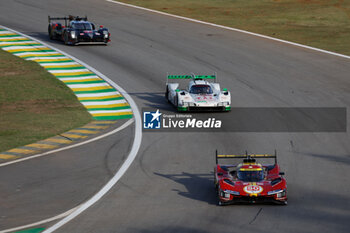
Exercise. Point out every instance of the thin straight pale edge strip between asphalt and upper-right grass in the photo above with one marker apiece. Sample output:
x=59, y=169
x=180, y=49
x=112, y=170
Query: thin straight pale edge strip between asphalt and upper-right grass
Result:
x=232, y=29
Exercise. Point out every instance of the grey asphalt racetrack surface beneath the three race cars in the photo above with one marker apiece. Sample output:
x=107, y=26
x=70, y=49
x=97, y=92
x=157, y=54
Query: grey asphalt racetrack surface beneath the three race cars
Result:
x=169, y=187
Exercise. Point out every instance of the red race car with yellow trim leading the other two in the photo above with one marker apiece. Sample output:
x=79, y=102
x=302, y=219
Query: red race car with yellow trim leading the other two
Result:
x=249, y=181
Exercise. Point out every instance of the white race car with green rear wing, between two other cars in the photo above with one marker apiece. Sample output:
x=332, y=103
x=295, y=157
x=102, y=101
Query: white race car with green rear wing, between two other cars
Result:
x=201, y=95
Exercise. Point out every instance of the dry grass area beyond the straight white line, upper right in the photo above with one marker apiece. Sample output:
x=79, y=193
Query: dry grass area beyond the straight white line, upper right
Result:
x=323, y=24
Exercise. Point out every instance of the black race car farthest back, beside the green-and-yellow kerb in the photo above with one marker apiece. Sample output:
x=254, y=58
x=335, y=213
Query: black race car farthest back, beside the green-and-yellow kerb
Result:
x=77, y=30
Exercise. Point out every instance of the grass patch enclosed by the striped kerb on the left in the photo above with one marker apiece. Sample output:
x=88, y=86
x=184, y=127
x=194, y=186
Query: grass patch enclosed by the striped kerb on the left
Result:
x=34, y=105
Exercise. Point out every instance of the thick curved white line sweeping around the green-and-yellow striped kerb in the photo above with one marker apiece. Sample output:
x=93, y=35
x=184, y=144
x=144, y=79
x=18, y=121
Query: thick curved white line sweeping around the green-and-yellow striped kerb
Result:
x=132, y=155
